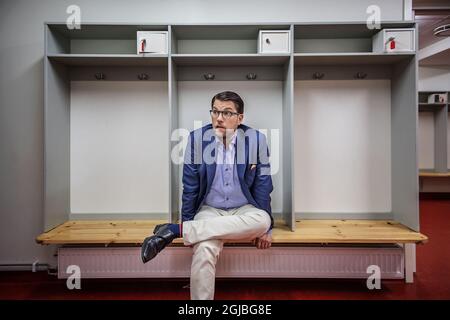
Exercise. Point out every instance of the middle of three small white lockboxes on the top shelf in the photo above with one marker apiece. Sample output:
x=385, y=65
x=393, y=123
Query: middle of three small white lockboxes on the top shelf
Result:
x=274, y=41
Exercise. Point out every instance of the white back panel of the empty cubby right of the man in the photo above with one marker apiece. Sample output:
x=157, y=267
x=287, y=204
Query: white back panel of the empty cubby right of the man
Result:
x=342, y=146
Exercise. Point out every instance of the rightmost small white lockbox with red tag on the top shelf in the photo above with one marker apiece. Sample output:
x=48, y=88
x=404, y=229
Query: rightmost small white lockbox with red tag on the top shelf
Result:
x=394, y=40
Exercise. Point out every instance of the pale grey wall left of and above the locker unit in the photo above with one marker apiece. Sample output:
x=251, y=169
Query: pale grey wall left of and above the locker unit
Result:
x=21, y=84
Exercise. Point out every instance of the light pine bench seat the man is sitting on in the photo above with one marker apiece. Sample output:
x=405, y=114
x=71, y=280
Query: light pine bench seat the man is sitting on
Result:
x=307, y=231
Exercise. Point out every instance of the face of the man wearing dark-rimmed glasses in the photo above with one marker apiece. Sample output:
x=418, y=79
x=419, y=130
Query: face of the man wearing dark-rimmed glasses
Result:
x=222, y=125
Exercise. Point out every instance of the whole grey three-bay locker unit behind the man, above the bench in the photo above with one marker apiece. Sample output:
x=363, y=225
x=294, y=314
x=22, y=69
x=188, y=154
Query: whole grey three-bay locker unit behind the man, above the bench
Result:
x=335, y=56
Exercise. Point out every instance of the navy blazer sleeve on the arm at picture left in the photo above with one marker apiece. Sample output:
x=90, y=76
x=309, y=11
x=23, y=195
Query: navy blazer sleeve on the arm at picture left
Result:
x=191, y=181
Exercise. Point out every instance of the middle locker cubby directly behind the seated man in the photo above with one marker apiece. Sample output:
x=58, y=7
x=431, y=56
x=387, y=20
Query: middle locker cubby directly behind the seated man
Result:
x=267, y=99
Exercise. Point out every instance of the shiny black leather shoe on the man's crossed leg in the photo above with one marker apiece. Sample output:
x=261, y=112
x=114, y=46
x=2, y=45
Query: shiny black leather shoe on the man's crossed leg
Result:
x=154, y=244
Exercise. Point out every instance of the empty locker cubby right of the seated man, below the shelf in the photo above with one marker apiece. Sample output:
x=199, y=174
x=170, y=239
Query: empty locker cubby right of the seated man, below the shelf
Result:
x=355, y=137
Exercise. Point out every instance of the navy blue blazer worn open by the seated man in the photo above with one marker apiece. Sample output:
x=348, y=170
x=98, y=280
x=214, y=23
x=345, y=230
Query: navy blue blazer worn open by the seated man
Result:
x=198, y=174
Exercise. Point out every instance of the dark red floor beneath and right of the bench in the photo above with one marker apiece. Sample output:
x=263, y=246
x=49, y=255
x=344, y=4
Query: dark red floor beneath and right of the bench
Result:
x=432, y=280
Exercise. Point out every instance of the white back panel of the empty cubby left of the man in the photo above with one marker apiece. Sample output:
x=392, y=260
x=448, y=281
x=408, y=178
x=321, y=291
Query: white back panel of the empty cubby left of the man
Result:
x=119, y=150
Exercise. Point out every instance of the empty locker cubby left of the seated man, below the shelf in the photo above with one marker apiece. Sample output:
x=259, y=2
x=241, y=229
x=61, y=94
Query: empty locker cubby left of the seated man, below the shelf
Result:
x=100, y=111
